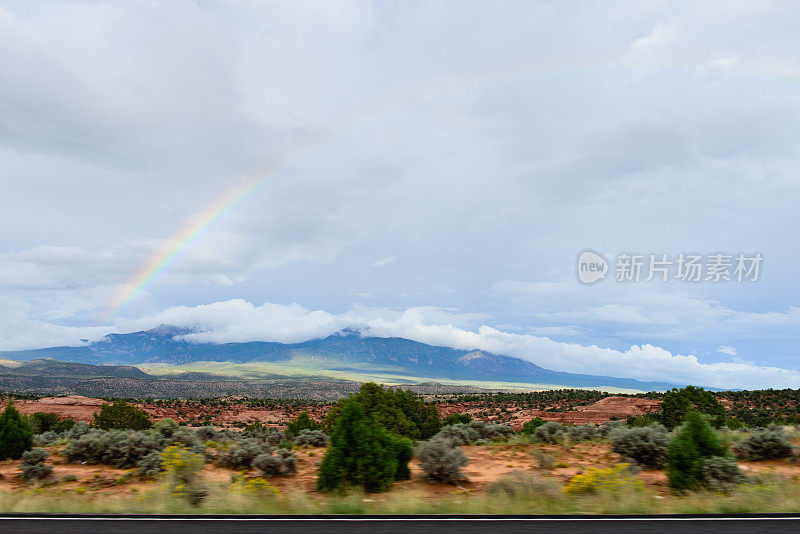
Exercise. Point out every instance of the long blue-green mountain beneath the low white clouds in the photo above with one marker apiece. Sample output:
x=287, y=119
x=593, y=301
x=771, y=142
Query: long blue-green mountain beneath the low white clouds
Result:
x=343, y=350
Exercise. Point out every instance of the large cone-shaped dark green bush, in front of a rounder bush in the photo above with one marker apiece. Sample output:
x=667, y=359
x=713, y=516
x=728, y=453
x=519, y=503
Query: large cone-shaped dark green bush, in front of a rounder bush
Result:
x=361, y=453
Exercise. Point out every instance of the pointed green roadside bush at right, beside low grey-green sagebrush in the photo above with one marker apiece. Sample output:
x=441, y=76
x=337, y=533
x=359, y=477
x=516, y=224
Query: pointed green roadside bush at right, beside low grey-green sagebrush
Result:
x=694, y=442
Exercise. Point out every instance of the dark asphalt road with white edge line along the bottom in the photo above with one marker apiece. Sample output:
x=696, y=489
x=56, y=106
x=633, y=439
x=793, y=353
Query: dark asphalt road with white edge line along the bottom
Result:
x=367, y=525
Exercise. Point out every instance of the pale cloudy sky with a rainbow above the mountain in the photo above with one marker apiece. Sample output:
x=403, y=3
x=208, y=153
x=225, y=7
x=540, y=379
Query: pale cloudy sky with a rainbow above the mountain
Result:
x=281, y=170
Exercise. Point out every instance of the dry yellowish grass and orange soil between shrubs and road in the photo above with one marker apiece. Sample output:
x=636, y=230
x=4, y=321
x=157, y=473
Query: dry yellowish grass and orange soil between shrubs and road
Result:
x=98, y=489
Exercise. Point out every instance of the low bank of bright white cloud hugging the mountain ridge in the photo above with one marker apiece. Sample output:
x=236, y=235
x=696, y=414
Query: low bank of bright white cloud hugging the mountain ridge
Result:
x=242, y=321
